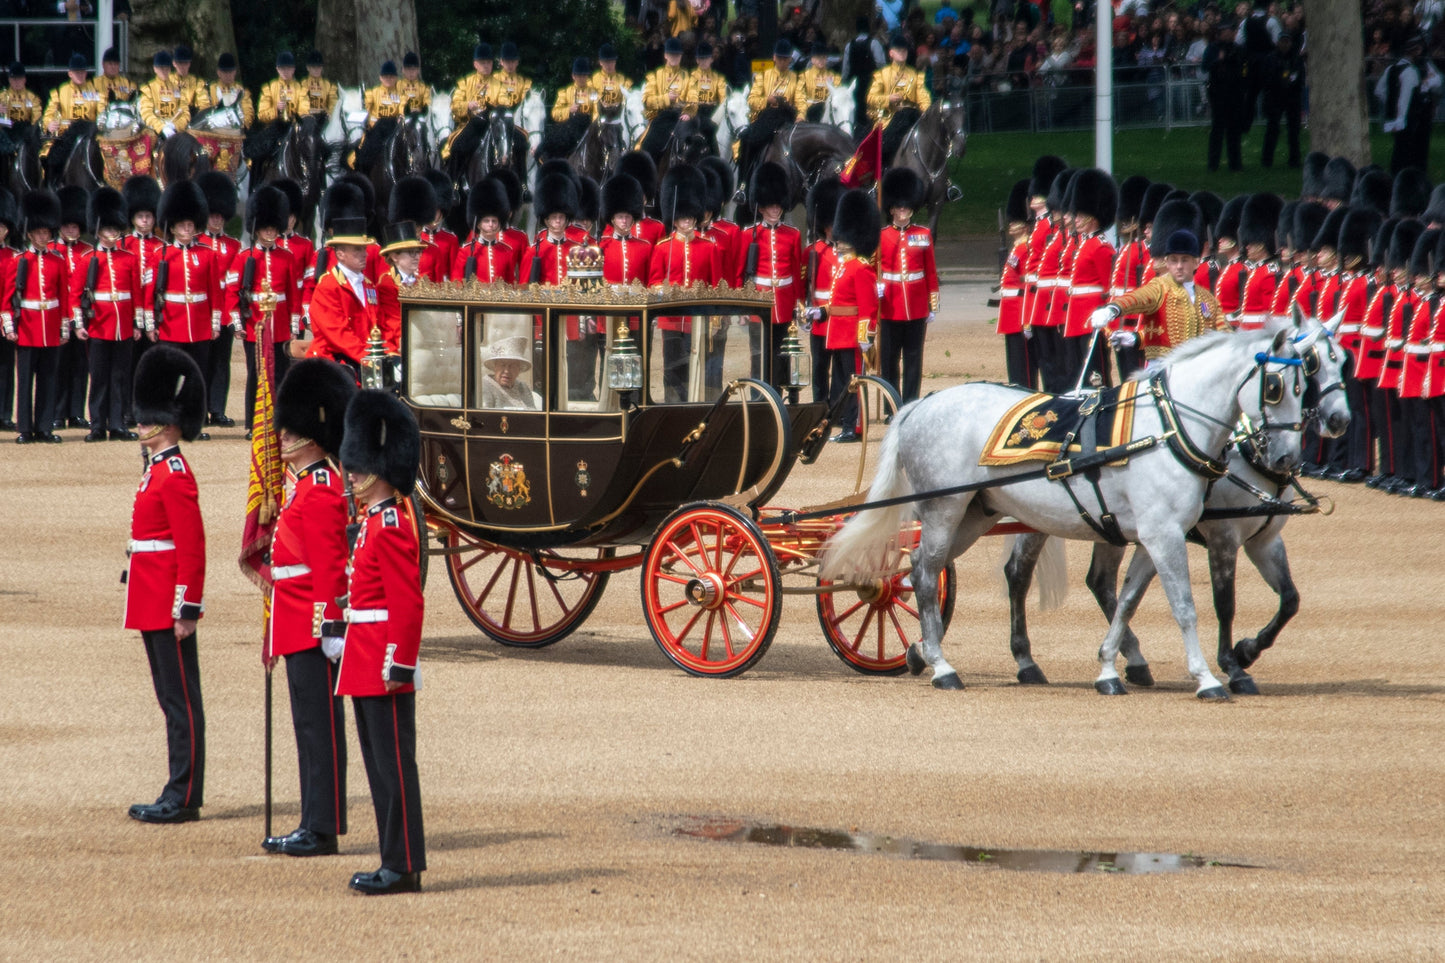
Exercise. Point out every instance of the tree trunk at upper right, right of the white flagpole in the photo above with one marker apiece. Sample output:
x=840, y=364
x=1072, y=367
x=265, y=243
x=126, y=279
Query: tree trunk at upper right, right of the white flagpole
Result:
x=1339, y=124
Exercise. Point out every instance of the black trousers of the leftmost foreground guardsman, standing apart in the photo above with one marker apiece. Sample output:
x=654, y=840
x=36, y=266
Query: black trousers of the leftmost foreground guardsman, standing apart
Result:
x=177, y=675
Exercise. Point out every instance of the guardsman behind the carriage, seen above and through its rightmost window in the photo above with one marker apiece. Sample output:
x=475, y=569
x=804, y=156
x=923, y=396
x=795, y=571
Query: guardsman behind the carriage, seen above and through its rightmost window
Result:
x=684, y=258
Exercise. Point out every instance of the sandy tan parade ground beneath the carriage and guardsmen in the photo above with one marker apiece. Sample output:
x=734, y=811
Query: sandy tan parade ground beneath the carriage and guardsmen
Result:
x=570, y=793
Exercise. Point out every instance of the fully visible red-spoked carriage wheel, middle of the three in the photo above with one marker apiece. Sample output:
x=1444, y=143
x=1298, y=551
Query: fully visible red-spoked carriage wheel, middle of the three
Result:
x=710, y=591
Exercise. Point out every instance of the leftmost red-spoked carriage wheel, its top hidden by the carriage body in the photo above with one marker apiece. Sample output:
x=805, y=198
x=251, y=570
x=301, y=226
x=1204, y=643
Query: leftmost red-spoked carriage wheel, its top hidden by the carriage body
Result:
x=505, y=595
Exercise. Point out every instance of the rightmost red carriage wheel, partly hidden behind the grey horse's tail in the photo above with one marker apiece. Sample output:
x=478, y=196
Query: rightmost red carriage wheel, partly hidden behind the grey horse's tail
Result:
x=871, y=627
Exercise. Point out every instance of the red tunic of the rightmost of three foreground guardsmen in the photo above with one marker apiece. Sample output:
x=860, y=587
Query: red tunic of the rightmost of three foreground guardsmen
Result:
x=385, y=605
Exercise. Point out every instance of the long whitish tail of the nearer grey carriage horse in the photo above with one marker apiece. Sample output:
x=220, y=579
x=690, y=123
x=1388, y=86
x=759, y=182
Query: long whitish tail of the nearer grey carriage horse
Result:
x=863, y=547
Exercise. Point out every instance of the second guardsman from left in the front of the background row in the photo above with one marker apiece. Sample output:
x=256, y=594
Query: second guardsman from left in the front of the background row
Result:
x=105, y=296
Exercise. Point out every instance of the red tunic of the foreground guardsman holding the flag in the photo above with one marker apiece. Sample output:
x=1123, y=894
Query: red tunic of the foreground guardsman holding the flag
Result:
x=309, y=562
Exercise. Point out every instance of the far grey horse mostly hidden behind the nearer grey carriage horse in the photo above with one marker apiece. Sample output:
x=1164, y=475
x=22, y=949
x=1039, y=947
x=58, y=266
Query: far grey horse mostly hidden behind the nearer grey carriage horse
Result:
x=1232, y=521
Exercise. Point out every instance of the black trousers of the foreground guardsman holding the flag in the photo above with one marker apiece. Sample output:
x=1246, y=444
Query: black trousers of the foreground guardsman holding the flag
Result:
x=322, y=741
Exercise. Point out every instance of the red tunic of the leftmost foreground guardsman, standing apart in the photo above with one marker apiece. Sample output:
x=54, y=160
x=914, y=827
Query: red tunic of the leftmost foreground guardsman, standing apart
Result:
x=165, y=579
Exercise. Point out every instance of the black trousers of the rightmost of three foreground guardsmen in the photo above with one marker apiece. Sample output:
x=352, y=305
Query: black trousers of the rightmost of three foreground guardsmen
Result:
x=387, y=727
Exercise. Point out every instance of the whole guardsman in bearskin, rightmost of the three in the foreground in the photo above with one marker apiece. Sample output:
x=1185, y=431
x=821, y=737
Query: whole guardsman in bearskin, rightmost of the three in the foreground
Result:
x=381, y=453
